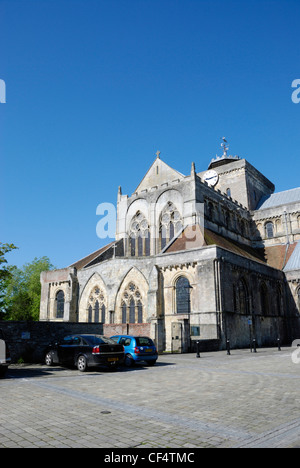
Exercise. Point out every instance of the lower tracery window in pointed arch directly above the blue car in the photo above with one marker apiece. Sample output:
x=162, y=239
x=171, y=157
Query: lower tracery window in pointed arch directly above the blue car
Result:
x=131, y=305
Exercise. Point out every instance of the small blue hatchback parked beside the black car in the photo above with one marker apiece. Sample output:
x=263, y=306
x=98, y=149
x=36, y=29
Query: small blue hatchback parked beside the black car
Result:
x=137, y=349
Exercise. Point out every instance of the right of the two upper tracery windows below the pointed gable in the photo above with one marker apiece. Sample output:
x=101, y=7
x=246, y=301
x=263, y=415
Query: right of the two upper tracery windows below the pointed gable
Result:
x=170, y=224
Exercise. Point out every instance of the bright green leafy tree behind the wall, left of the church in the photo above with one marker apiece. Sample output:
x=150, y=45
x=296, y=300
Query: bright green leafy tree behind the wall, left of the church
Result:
x=23, y=291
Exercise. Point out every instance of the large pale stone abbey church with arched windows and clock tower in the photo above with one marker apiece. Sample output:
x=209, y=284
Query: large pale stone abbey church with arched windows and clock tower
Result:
x=210, y=256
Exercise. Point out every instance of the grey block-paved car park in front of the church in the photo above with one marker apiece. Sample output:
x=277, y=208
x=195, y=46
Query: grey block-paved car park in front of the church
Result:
x=242, y=400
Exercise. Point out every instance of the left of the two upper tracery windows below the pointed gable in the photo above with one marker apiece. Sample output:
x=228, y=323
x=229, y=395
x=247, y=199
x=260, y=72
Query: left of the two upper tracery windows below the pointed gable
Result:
x=139, y=236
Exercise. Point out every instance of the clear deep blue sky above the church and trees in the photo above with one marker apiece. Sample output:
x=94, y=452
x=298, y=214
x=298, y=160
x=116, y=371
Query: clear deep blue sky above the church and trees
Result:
x=96, y=87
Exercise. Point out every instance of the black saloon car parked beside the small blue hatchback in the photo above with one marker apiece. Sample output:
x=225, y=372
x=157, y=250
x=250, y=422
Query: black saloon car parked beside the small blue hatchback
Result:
x=85, y=351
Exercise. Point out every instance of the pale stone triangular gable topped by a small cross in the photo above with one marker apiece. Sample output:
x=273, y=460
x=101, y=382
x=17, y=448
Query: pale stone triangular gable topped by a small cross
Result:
x=158, y=174
